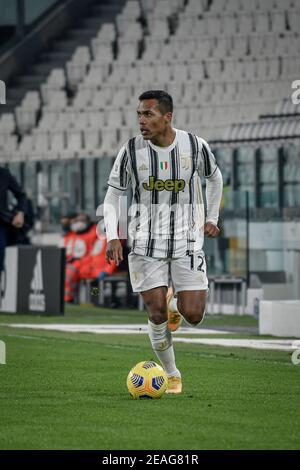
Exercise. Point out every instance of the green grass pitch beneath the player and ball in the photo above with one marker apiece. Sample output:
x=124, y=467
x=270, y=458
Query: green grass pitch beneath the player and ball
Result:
x=67, y=391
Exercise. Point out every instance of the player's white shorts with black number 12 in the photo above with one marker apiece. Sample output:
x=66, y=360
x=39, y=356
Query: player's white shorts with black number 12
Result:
x=185, y=273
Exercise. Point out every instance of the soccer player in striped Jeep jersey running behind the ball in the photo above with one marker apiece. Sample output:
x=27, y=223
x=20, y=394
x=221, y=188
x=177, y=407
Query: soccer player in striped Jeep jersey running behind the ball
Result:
x=163, y=166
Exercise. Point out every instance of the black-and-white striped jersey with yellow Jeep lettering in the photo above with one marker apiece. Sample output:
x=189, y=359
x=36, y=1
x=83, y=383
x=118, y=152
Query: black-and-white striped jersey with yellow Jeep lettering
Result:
x=167, y=208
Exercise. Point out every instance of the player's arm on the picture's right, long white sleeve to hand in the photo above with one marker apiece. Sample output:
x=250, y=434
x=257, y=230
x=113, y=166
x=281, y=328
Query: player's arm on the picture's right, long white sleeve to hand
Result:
x=214, y=188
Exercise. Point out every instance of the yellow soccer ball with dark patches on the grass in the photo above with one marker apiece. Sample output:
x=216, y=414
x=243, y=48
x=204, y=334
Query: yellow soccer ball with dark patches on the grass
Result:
x=147, y=380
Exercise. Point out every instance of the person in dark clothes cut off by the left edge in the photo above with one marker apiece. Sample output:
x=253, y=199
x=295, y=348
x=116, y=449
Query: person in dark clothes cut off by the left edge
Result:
x=10, y=219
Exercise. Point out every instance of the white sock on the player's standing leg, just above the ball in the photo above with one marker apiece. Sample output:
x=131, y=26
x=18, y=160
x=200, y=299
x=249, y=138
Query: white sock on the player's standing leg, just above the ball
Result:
x=161, y=340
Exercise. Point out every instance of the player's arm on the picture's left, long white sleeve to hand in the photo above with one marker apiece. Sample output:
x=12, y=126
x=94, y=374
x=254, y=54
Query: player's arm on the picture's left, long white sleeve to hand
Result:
x=117, y=183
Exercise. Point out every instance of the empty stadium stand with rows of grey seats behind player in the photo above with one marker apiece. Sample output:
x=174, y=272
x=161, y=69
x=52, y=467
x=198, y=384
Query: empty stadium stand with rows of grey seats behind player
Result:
x=229, y=66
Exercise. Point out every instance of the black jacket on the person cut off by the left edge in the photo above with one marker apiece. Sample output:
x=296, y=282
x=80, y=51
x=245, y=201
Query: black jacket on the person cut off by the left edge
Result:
x=9, y=183
